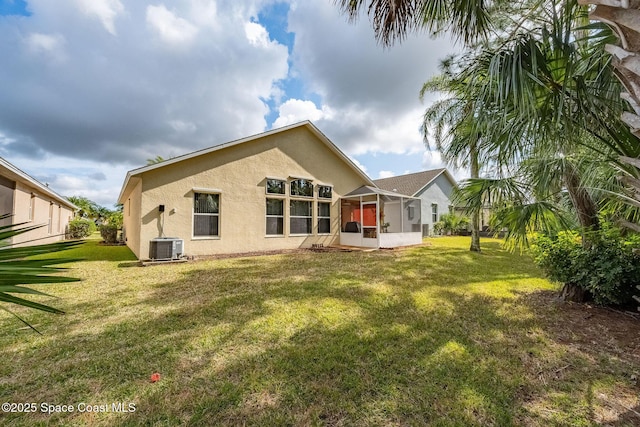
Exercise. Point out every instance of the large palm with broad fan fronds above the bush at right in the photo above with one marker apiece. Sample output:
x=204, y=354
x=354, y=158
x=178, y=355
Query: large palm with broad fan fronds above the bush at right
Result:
x=541, y=95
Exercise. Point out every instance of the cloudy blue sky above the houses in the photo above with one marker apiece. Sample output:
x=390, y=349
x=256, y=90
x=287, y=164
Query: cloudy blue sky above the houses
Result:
x=93, y=88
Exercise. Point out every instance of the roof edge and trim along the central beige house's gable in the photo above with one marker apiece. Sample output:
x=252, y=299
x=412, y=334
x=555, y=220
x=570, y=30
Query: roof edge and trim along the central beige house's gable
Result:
x=310, y=126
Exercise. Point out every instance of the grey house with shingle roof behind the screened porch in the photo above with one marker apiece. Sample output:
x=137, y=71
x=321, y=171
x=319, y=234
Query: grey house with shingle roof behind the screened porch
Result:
x=433, y=187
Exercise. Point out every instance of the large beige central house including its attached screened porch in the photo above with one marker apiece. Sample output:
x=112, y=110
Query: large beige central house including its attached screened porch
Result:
x=283, y=189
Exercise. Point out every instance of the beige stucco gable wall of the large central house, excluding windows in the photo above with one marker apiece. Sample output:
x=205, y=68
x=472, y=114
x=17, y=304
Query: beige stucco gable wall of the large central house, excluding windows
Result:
x=238, y=174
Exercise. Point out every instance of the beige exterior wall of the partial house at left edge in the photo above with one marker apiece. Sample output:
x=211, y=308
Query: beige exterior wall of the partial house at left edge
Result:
x=51, y=214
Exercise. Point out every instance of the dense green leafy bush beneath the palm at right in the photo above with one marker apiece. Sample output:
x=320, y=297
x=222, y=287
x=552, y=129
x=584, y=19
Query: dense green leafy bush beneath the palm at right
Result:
x=609, y=269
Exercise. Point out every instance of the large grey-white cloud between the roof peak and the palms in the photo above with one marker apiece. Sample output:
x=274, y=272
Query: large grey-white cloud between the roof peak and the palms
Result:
x=372, y=91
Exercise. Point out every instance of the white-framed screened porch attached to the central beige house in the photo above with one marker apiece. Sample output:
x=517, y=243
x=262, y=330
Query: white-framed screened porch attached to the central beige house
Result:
x=375, y=218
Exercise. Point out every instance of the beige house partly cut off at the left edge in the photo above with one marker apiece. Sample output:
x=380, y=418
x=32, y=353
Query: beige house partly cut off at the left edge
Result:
x=30, y=201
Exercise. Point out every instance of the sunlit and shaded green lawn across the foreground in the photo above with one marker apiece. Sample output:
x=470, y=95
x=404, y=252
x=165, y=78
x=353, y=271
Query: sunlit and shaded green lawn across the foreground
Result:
x=433, y=335
